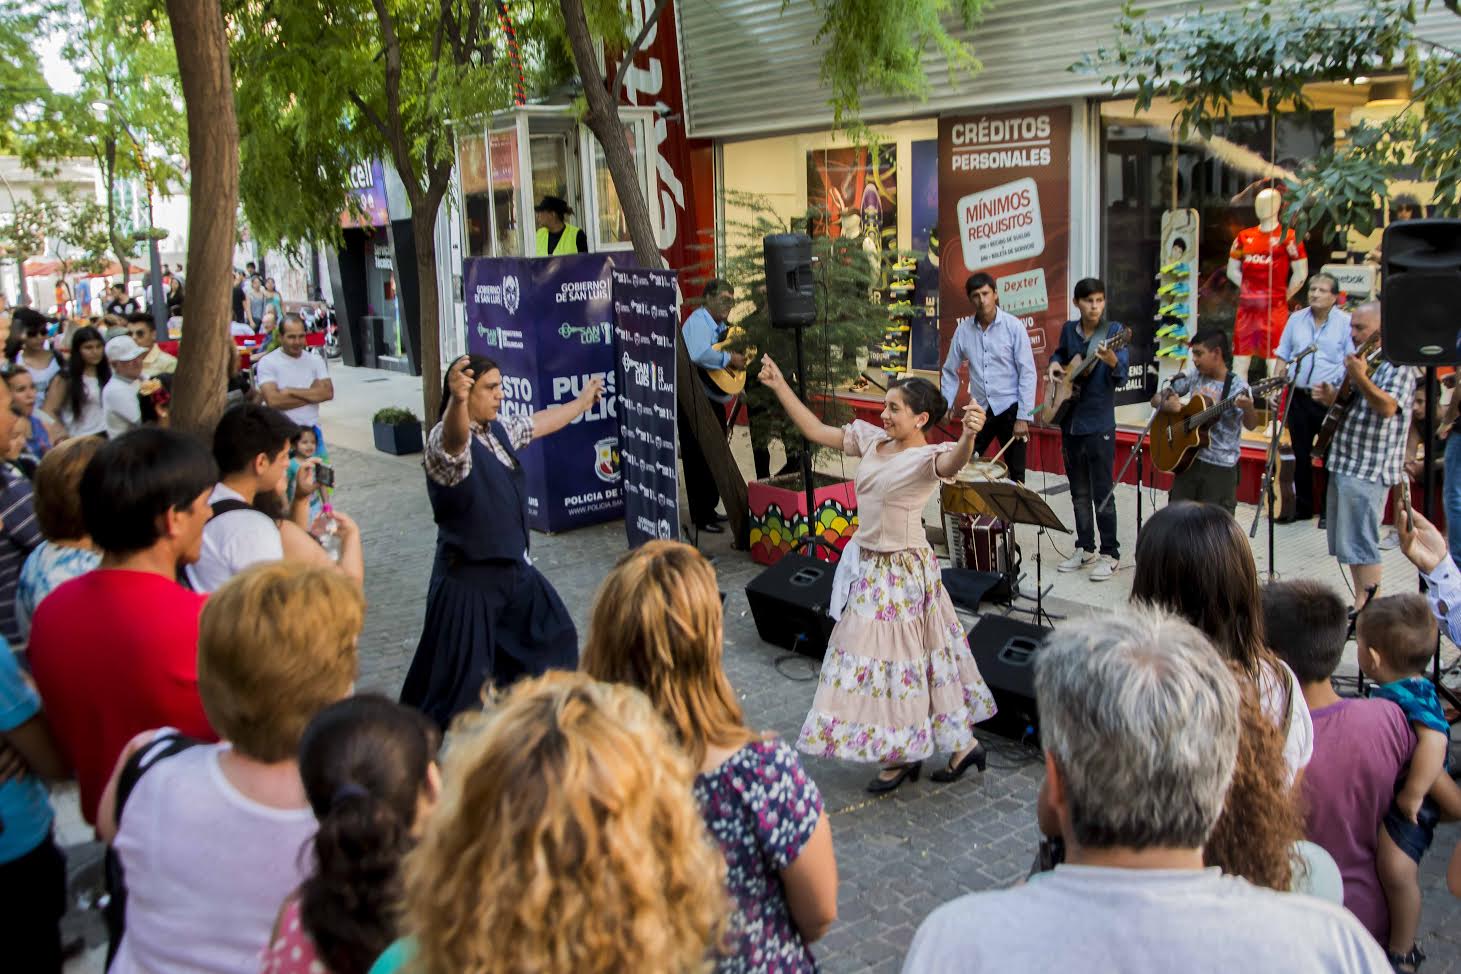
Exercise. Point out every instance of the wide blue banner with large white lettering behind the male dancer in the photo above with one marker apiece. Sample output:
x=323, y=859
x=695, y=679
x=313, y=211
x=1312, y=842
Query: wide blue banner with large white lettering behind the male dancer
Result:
x=549, y=323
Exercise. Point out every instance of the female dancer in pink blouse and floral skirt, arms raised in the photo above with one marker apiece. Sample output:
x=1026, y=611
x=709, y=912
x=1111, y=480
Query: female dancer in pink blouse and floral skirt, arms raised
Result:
x=899, y=681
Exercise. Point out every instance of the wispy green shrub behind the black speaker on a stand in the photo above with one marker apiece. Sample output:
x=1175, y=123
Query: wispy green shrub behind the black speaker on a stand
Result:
x=848, y=319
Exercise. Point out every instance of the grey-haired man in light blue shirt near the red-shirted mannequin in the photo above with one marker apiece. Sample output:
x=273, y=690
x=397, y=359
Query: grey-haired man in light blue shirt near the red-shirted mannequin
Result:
x=1329, y=329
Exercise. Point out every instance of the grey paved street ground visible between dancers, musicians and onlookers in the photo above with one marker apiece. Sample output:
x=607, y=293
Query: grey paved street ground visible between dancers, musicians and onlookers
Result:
x=901, y=855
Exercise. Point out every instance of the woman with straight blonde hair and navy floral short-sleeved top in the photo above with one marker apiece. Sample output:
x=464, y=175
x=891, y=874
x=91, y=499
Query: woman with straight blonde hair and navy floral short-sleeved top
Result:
x=657, y=626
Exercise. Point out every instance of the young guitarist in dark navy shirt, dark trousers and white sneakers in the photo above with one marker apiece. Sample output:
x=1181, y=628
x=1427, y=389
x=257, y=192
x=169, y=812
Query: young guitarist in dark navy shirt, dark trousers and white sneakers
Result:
x=1089, y=427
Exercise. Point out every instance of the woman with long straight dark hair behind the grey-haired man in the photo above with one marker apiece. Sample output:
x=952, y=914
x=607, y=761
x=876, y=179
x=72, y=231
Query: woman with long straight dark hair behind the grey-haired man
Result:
x=1194, y=560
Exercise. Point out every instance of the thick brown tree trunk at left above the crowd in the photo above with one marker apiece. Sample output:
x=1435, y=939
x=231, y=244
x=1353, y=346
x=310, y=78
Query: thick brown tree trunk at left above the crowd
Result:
x=205, y=358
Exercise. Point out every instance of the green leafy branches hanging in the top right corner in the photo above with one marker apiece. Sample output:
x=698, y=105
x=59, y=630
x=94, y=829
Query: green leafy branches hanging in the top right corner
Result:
x=1269, y=52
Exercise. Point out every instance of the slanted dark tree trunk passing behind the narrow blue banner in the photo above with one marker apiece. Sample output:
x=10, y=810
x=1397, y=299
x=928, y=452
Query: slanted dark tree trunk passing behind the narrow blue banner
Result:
x=604, y=120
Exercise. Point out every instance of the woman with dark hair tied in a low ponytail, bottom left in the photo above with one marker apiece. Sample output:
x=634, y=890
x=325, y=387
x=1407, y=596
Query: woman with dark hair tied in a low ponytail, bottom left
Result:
x=370, y=773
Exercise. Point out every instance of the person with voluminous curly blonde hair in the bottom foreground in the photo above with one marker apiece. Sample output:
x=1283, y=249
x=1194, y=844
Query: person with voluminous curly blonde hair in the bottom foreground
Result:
x=566, y=842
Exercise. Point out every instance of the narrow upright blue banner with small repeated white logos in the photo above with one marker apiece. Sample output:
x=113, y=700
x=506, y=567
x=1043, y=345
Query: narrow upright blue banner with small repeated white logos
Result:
x=646, y=316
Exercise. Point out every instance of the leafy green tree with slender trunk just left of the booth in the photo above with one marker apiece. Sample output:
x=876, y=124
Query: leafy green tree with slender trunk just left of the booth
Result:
x=327, y=85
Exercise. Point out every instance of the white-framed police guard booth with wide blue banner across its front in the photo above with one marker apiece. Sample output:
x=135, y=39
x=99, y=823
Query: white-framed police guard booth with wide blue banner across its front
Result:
x=549, y=322
